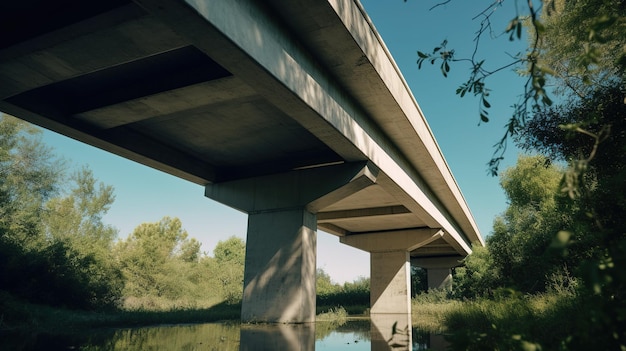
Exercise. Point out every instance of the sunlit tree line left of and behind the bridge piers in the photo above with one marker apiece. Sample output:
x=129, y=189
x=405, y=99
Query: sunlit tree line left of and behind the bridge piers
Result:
x=55, y=248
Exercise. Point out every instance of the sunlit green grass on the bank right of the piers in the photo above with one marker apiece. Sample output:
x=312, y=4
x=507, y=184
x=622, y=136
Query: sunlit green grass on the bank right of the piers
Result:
x=514, y=322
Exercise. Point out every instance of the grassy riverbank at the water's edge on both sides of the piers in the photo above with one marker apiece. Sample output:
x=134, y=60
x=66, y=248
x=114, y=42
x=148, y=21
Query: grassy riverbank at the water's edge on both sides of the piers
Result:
x=534, y=319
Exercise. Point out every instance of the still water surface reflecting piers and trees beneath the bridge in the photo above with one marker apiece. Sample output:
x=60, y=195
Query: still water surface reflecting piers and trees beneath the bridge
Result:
x=377, y=335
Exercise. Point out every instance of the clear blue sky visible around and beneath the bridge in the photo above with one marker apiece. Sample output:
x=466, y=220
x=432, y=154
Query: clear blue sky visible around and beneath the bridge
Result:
x=147, y=195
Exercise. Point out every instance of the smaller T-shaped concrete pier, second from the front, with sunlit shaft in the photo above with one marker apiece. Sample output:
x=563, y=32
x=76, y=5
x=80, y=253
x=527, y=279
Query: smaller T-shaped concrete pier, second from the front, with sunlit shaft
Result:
x=390, y=265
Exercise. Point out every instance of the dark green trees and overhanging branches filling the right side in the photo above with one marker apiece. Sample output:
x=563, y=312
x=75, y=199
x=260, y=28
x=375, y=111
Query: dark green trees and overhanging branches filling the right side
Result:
x=564, y=230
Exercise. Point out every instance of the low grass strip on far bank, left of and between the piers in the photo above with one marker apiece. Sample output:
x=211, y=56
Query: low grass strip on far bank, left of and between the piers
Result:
x=21, y=317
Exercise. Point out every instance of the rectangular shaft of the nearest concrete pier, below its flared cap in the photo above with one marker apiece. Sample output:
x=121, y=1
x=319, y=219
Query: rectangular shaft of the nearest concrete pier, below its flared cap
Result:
x=280, y=267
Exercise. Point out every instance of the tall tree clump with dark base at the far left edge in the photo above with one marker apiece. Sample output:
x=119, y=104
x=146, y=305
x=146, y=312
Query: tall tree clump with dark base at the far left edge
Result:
x=51, y=251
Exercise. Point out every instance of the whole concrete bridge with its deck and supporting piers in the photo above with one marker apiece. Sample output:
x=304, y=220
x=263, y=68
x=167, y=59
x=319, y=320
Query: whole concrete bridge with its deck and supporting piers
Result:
x=292, y=111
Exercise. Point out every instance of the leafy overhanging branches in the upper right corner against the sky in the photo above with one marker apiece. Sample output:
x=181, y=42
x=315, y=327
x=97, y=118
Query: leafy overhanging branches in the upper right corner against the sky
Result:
x=569, y=42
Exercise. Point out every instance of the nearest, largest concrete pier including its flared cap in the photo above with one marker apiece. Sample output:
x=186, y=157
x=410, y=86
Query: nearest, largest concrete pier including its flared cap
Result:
x=280, y=264
